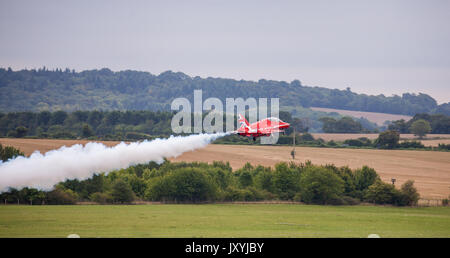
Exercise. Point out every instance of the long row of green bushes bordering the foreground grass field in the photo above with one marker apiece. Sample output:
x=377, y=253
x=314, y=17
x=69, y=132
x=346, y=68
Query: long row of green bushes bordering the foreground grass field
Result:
x=198, y=182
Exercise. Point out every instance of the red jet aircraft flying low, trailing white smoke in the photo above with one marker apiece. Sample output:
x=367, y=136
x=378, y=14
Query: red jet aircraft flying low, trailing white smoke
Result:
x=263, y=127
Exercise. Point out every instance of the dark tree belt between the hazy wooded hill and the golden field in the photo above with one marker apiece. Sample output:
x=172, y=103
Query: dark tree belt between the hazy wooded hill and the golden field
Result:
x=141, y=125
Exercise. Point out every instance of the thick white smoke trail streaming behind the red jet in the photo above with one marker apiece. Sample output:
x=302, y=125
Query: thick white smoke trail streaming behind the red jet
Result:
x=43, y=171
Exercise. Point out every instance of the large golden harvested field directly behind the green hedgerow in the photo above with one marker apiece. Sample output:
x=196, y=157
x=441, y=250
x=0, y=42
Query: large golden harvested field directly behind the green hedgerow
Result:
x=429, y=169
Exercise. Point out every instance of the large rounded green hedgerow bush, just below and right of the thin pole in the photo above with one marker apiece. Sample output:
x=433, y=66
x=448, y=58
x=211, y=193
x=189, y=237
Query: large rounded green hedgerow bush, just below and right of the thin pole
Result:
x=319, y=185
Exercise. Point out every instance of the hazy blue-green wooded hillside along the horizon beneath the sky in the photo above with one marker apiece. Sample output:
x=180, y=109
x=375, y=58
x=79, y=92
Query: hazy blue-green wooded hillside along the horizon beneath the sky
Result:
x=42, y=89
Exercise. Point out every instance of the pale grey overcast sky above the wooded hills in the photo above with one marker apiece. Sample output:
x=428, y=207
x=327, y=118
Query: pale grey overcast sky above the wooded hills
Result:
x=373, y=47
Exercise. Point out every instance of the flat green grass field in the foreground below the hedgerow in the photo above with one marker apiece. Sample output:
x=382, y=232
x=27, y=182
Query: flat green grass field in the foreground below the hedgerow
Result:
x=223, y=220
